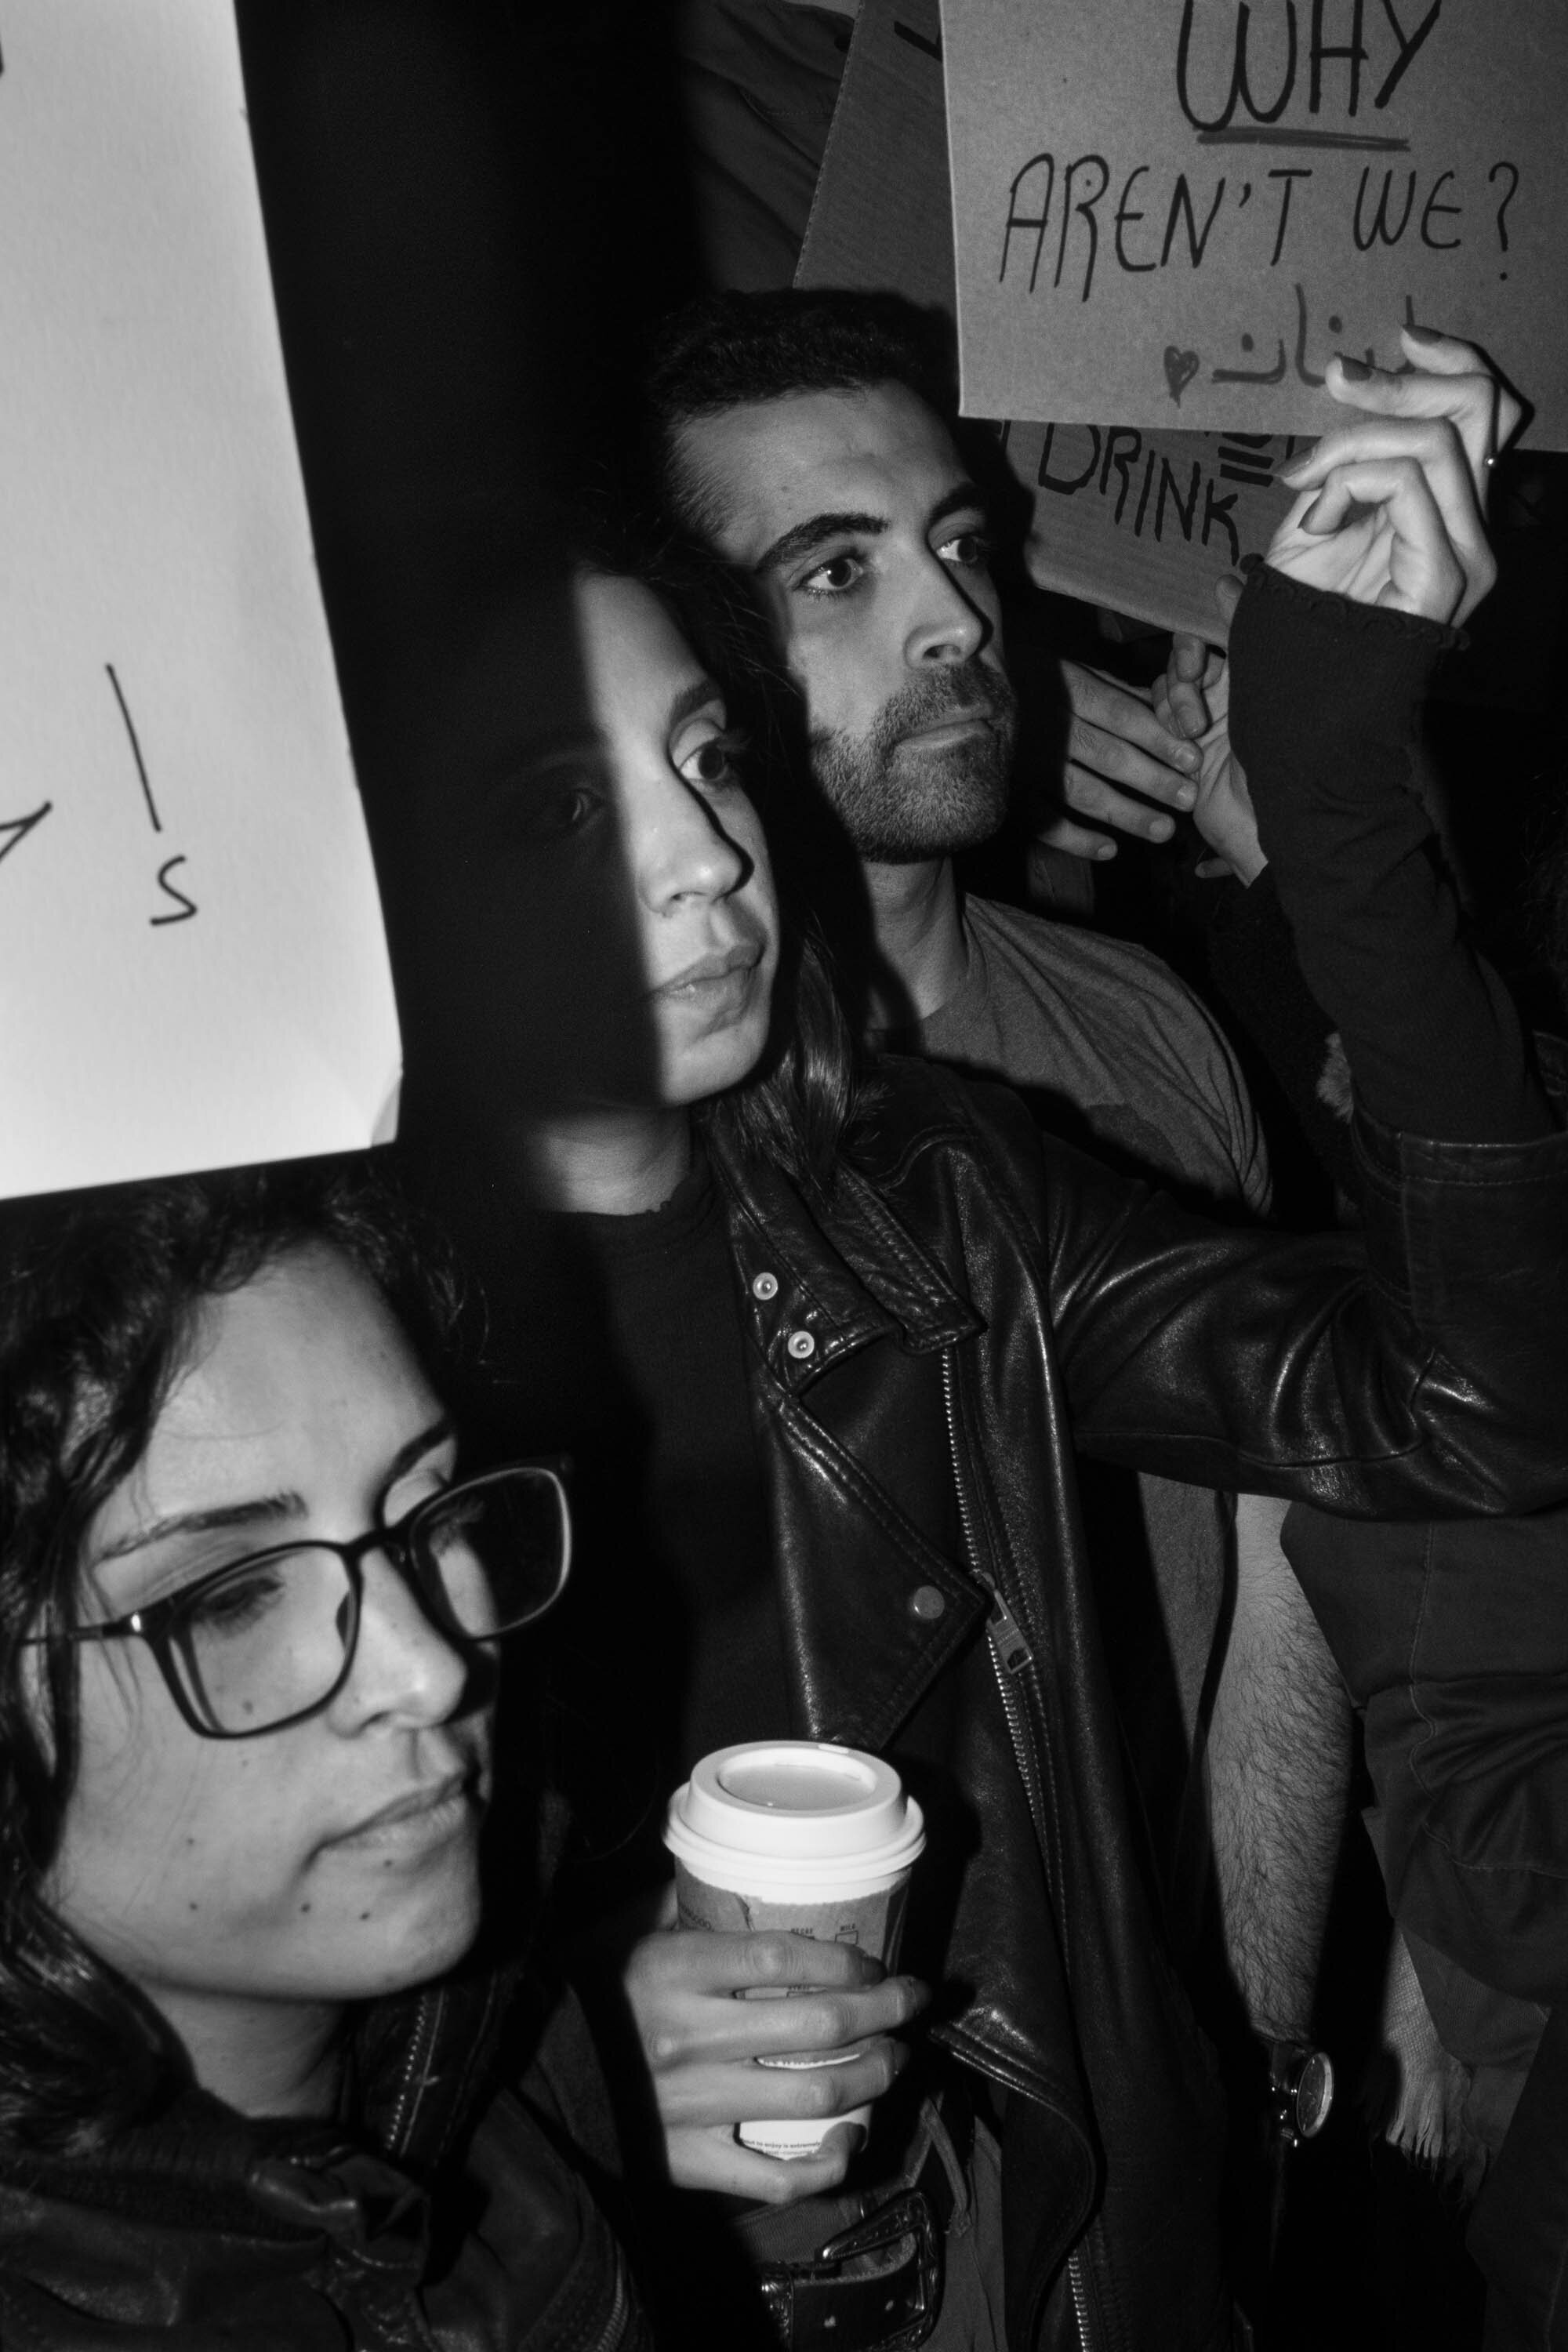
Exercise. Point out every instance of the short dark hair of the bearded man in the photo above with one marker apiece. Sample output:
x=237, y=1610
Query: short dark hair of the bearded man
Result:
x=730, y=352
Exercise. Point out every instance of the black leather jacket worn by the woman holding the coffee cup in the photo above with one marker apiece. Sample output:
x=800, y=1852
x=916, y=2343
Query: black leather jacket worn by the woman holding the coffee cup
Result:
x=972, y=1307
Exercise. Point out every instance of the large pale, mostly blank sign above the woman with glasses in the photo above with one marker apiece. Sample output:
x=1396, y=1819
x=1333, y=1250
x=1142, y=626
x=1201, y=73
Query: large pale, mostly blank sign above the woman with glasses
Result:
x=192, y=951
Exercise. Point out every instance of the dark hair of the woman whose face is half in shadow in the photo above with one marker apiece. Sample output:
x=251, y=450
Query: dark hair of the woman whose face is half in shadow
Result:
x=796, y=1107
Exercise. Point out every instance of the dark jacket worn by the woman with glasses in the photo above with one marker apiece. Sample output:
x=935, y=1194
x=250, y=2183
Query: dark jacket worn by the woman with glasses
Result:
x=448, y=2221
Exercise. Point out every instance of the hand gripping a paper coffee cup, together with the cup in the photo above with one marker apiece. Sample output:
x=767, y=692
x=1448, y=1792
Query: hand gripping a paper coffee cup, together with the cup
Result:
x=725, y=2045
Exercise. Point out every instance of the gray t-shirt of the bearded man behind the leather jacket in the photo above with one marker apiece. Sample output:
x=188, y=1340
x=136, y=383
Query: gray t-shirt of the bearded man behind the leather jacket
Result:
x=1108, y=1045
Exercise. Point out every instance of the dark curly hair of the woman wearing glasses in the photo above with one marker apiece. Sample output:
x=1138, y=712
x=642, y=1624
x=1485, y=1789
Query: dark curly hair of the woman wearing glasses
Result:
x=100, y=1295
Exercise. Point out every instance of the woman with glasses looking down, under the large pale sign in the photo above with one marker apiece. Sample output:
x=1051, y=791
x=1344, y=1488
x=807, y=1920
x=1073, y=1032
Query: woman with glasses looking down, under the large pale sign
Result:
x=250, y=1622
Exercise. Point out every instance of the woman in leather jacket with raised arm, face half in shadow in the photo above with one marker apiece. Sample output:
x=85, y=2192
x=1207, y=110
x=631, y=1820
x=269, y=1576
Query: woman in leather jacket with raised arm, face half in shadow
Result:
x=897, y=1311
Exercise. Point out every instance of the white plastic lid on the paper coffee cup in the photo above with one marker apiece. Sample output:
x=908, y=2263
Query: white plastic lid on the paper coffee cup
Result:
x=796, y=1800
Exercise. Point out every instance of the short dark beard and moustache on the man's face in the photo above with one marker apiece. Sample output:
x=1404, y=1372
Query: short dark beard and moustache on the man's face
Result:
x=902, y=808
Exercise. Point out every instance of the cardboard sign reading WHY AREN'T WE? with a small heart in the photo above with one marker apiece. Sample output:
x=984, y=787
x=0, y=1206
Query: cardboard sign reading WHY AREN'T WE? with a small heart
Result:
x=1177, y=213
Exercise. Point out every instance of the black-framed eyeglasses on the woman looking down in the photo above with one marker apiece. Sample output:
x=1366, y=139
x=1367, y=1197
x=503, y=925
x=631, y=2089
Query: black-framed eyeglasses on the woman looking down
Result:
x=272, y=1638
